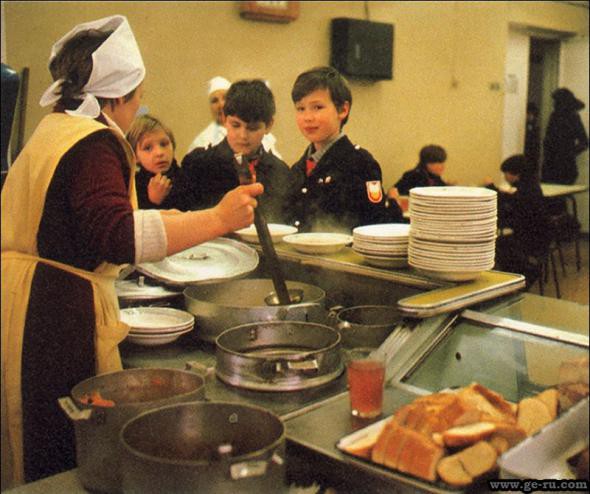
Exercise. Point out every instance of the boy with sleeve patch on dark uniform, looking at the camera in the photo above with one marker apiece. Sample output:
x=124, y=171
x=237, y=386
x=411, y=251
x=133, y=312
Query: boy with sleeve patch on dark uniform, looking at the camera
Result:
x=335, y=186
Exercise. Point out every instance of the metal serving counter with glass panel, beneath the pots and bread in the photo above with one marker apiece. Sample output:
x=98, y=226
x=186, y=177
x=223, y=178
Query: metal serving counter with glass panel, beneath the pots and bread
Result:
x=451, y=335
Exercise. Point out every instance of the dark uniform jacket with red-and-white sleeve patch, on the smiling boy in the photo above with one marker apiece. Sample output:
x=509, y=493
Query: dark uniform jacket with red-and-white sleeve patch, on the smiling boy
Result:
x=342, y=192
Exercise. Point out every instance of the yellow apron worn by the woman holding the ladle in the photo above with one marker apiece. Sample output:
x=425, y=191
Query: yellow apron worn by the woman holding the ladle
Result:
x=23, y=197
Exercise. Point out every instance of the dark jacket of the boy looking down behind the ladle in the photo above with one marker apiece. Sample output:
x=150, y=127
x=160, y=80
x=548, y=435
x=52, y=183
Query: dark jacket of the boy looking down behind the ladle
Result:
x=212, y=172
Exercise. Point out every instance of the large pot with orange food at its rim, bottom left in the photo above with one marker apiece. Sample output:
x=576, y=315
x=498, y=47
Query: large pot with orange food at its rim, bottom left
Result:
x=97, y=428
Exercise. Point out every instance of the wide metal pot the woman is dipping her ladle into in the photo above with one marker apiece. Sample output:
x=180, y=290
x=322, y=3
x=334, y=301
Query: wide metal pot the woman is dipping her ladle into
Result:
x=220, y=306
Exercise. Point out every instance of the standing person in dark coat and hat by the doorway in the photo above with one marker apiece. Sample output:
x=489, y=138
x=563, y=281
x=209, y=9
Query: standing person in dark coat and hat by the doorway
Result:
x=565, y=139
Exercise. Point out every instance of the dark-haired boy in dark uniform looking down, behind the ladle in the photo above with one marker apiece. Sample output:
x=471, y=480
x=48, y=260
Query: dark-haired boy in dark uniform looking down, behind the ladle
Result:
x=249, y=110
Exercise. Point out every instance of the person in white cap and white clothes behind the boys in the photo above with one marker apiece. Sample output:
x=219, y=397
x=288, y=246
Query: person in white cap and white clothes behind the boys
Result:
x=215, y=132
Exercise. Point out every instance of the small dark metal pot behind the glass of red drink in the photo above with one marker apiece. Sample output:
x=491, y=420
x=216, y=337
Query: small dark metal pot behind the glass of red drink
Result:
x=365, y=325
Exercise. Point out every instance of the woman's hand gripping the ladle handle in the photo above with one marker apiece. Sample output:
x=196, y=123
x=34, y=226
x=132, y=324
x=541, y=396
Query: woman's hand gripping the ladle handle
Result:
x=236, y=209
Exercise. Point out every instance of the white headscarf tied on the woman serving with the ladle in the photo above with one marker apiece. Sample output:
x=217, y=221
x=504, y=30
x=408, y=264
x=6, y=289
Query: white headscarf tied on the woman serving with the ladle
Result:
x=117, y=66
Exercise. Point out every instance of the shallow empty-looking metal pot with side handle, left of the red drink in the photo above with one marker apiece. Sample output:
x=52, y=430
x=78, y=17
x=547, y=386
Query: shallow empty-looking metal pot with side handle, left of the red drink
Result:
x=278, y=355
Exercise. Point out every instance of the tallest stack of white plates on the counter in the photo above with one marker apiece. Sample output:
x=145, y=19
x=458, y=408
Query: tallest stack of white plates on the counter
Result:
x=453, y=231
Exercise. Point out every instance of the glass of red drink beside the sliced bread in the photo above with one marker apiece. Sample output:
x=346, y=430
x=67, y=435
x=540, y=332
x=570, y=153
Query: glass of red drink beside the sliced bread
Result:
x=366, y=377
